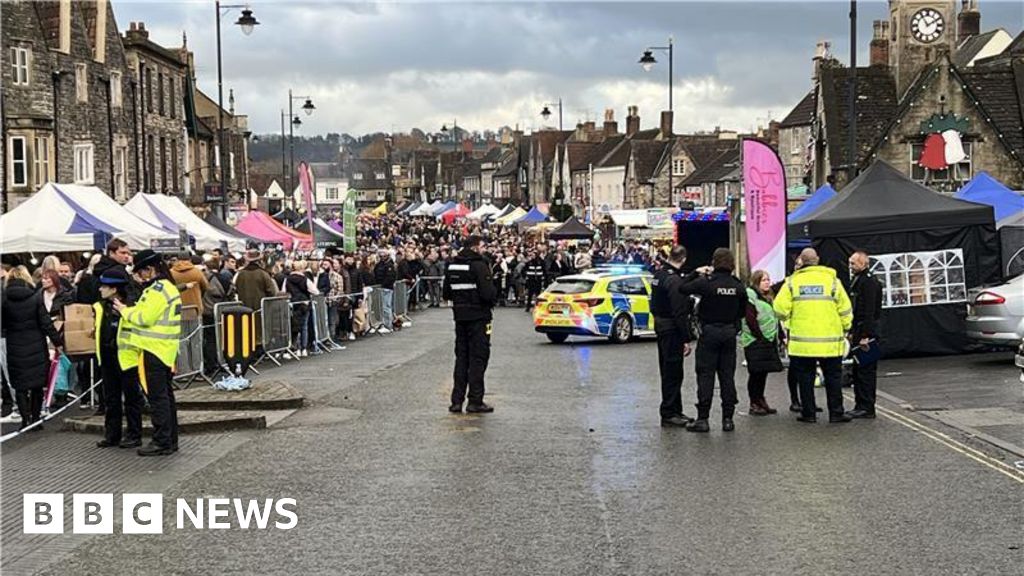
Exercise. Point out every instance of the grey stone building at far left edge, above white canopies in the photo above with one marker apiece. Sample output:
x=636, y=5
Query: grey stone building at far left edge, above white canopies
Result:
x=69, y=54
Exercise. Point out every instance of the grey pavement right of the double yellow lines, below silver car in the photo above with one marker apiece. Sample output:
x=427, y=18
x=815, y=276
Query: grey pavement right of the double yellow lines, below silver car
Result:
x=980, y=395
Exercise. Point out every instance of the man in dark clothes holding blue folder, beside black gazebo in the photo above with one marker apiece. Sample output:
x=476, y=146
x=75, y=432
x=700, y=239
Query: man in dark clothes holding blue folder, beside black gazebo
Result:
x=866, y=295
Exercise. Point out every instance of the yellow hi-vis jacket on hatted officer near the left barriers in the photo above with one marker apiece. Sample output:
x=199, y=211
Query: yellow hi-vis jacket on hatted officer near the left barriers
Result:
x=154, y=324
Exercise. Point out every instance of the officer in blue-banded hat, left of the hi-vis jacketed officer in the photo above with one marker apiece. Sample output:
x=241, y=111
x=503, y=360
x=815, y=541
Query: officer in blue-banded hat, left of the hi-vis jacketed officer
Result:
x=119, y=382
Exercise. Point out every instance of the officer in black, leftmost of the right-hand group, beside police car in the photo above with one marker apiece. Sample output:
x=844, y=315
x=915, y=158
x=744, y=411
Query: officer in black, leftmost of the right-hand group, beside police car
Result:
x=672, y=312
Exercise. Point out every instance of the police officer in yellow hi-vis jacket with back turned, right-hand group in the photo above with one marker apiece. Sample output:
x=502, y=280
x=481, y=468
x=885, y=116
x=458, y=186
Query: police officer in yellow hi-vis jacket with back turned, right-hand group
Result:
x=819, y=313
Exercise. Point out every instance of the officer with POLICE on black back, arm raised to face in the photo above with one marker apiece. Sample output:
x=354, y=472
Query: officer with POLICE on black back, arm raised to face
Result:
x=723, y=305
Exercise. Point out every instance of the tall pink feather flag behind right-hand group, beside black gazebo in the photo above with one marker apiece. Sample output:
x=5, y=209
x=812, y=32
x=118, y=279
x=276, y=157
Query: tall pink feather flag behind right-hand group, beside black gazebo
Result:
x=764, y=193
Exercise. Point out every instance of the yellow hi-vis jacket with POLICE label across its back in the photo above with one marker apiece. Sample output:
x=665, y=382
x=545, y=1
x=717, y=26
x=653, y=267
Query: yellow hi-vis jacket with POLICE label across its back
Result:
x=818, y=312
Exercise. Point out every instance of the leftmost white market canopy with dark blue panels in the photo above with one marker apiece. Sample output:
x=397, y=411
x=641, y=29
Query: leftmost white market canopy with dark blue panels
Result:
x=72, y=218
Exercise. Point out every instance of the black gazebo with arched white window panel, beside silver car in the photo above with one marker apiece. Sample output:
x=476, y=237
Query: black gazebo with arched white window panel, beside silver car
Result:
x=927, y=250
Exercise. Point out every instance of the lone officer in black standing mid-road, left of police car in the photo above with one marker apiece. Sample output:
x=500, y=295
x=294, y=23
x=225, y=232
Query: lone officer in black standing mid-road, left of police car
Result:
x=470, y=286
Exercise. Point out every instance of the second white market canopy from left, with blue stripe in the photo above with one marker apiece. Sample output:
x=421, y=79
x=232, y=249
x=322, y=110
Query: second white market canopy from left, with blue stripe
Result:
x=170, y=215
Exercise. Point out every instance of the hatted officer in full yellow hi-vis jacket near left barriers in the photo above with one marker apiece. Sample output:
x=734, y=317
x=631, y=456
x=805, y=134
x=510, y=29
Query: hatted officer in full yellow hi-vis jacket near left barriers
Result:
x=154, y=327
